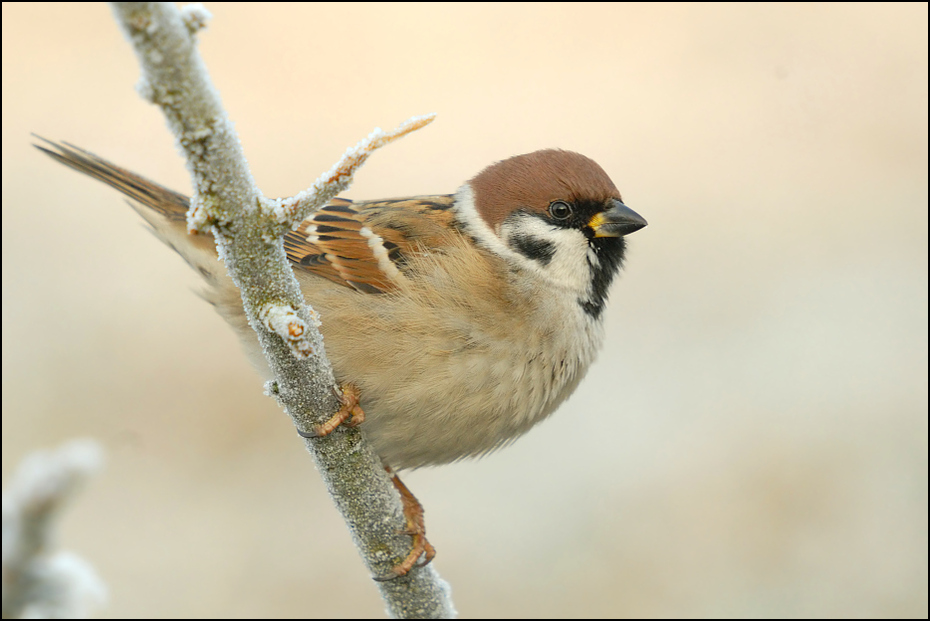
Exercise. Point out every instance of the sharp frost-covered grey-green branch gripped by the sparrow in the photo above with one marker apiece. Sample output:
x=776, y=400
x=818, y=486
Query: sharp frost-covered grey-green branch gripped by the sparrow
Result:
x=248, y=229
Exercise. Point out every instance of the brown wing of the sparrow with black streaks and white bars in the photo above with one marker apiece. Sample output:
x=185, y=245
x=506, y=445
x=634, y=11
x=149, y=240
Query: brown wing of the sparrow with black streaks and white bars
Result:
x=365, y=245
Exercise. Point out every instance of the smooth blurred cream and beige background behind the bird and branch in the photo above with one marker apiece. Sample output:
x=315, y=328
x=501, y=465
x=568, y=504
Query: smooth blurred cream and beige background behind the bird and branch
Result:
x=753, y=438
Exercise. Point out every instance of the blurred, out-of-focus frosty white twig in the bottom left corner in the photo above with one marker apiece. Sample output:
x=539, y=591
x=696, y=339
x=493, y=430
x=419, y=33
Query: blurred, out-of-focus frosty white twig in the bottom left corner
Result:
x=38, y=582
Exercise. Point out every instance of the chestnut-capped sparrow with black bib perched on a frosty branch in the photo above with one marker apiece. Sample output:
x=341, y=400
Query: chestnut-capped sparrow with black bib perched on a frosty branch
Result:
x=454, y=323
